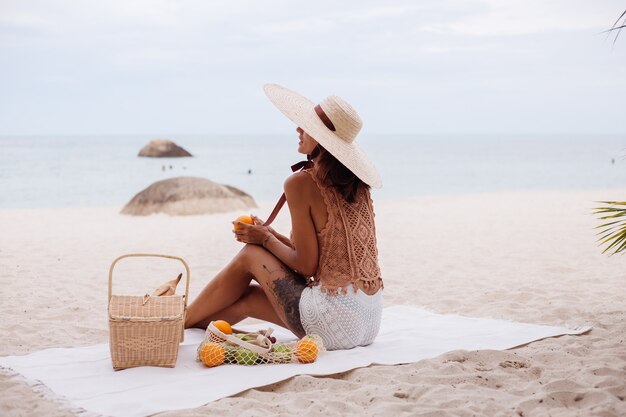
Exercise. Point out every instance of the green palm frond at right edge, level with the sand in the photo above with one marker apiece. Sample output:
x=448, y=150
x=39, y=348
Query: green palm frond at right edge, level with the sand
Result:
x=613, y=232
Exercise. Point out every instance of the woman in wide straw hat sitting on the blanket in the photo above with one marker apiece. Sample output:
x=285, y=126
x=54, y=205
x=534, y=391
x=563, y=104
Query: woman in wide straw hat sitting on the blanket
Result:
x=325, y=279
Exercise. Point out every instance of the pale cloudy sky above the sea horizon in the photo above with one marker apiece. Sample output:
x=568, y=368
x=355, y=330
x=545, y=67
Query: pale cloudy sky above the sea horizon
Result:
x=165, y=67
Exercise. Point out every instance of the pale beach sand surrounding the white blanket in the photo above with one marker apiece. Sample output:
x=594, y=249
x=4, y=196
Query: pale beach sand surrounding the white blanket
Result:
x=527, y=257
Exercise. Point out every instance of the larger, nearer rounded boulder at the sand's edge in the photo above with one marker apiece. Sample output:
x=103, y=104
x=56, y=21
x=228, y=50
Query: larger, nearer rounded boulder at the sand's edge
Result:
x=183, y=196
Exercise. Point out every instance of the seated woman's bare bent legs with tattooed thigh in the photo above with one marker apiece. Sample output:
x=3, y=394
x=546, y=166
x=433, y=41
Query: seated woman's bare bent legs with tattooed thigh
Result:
x=281, y=286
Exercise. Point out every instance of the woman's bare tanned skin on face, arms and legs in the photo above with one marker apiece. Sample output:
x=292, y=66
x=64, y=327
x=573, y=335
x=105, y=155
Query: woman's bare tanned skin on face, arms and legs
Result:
x=266, y=278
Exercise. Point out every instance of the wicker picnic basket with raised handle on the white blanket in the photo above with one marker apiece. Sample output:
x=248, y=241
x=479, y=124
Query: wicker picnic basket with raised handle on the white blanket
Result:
x=146, y=330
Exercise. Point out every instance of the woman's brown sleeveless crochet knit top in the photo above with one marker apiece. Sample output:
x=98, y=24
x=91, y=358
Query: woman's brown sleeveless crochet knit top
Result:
x=347, y=243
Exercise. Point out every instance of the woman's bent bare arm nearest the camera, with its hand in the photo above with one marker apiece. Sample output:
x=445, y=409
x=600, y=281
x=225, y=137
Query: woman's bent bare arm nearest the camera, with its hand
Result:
x=302, y=254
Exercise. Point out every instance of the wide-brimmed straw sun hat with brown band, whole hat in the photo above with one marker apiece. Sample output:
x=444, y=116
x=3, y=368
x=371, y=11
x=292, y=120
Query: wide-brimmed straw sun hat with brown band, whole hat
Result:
x=333, y=123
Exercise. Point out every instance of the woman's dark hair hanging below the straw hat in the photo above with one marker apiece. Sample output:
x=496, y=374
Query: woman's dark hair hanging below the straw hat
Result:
x=333, y=173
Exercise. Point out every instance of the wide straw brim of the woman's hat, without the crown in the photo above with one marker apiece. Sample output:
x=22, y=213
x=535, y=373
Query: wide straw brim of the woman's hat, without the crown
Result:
x=300, y=110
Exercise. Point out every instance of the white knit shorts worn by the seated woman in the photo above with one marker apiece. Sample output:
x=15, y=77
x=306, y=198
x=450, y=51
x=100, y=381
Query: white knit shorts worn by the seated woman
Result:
x=343, y=321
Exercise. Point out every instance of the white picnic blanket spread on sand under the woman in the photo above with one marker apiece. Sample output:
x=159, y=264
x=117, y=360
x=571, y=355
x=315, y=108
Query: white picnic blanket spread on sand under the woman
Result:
x=83, y=378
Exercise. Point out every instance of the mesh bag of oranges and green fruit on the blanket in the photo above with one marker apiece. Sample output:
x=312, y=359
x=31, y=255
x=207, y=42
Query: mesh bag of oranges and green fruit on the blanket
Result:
x=222, y=344
